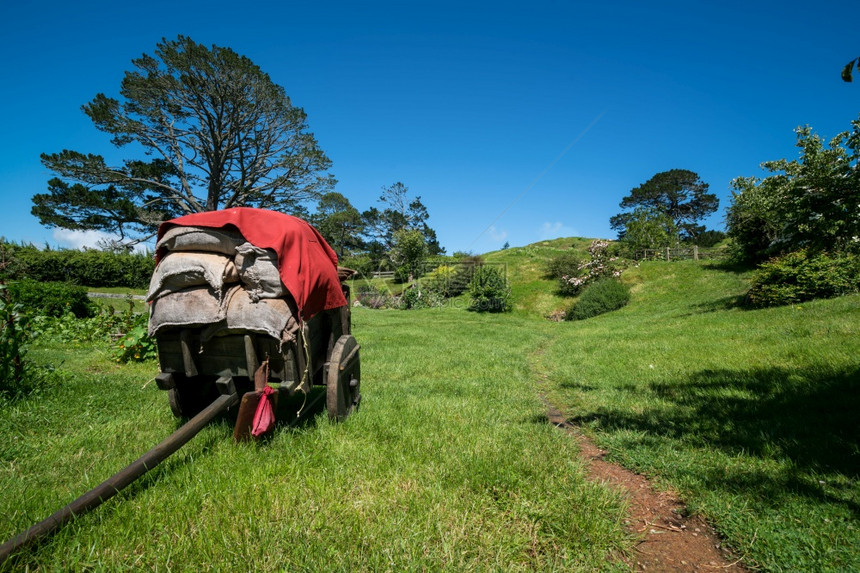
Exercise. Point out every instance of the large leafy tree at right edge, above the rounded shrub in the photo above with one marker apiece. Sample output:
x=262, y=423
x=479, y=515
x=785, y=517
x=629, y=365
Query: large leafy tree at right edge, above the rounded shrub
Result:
x=809, y=203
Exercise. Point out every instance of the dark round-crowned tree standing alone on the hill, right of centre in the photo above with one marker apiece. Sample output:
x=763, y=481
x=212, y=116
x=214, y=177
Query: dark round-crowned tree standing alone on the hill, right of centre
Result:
x=679, y=194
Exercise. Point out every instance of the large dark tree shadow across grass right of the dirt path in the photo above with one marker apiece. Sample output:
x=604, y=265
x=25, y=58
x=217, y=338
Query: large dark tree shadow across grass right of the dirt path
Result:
x=809, y=417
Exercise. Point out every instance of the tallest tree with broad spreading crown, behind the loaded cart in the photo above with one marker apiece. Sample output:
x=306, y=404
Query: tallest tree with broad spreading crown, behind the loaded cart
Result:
x=212, y=130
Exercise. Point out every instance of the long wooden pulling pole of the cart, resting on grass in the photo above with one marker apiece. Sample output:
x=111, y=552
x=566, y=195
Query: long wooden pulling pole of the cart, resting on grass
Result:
x=119, y=481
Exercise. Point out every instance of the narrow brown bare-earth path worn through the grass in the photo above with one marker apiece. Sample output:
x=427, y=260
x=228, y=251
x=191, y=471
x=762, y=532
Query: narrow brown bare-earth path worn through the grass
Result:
x=669, y=540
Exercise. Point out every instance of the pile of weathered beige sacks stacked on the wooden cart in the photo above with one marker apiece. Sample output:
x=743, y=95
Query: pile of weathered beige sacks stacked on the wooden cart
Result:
x=214, y=280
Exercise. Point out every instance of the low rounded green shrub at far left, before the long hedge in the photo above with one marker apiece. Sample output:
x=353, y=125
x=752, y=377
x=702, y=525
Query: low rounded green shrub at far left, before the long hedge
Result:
x=51, y=299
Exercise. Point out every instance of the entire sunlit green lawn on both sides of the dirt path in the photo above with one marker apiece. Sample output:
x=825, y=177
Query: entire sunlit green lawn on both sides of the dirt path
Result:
x=450, y=464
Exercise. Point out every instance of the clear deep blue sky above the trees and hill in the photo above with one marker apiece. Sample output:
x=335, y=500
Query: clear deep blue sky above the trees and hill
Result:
x=513, y=121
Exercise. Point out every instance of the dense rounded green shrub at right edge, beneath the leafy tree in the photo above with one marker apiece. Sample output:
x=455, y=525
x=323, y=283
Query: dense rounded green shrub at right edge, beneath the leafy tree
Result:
x=802, y=275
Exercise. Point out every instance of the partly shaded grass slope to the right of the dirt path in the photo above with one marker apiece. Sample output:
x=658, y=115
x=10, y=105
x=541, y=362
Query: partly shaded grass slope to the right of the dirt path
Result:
x=752, y=416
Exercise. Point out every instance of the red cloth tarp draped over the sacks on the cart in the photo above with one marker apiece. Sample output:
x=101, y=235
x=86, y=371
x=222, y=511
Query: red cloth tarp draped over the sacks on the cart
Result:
x=306, y=263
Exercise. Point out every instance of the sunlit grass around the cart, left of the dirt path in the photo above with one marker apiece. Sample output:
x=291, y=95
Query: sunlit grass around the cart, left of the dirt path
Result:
x=446, y=466
